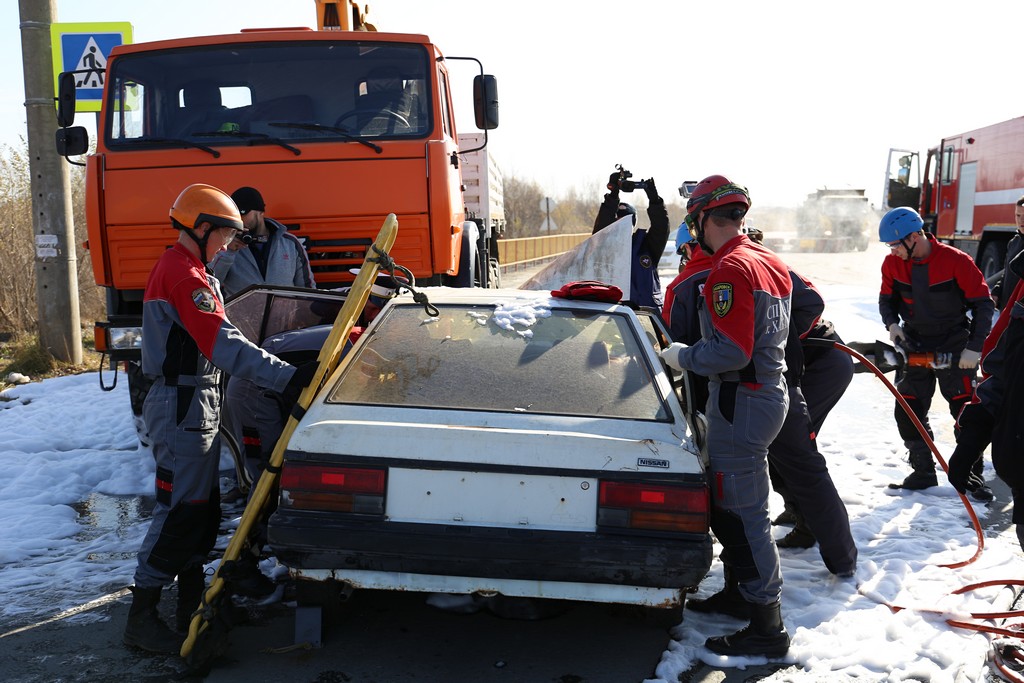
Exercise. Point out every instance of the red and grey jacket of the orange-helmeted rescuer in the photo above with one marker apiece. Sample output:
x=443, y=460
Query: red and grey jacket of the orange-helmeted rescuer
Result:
x=187, y=335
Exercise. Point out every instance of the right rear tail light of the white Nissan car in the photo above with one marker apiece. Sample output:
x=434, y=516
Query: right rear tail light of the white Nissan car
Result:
x=654, y=507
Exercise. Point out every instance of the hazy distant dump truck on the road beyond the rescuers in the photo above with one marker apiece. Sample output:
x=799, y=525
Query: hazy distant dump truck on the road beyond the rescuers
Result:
x=834, y=221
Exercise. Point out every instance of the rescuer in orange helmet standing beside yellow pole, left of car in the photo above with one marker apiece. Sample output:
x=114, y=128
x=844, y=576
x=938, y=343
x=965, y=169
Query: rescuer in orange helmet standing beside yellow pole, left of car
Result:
x=187, y=343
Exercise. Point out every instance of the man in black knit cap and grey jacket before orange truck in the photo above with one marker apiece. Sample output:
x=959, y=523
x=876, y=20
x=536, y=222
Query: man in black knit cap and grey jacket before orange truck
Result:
x=267, y=254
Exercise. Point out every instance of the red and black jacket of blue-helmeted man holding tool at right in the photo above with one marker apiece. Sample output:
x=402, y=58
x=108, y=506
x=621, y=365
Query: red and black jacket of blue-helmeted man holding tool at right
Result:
x=932, y=296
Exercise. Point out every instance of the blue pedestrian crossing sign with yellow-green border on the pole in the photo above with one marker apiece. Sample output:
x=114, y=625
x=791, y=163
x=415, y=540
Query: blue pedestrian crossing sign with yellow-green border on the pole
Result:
x=84, y=49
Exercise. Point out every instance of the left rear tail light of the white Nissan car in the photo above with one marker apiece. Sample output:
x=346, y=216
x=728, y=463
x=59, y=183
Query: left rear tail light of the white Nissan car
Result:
x=311, y=487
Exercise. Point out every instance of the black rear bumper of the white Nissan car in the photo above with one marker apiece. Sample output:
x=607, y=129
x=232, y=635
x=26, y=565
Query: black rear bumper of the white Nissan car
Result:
x=311, y=541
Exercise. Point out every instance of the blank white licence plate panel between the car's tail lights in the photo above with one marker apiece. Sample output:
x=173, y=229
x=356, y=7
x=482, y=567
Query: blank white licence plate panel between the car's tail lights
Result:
x=491, y=499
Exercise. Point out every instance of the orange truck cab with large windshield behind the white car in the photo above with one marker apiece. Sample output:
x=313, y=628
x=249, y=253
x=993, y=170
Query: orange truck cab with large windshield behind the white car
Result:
x=337, y=127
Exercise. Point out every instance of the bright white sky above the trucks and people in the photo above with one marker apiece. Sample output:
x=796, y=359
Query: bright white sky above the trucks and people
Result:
x=783, y=97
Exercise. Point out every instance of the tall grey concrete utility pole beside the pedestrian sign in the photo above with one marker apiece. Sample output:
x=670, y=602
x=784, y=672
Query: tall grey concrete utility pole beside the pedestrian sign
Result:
x=57, y=263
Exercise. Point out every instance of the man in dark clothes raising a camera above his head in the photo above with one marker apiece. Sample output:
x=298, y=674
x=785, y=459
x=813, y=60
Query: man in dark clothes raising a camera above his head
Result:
x=648, y=245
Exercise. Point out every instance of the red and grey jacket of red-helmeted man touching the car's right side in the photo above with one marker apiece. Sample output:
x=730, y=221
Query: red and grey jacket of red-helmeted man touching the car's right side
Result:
x=746, y=318
